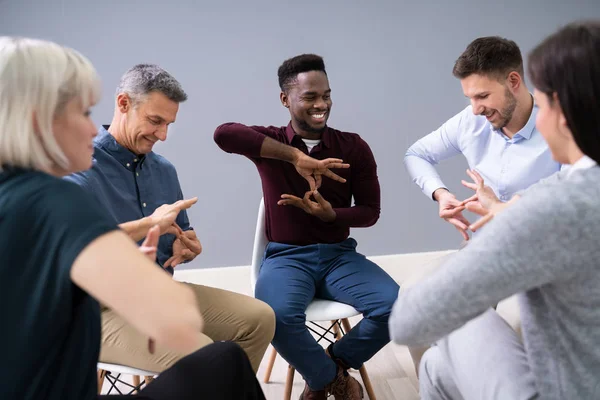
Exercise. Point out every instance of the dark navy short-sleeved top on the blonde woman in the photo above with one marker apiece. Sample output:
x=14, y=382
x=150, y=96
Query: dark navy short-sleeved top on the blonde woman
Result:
x=50, y=327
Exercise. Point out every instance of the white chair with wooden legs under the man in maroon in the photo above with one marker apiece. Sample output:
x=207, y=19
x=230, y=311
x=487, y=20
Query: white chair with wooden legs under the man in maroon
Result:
x=318, y=310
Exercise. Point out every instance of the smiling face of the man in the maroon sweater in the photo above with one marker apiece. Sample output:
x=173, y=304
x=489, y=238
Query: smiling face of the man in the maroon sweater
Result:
x=309, y=102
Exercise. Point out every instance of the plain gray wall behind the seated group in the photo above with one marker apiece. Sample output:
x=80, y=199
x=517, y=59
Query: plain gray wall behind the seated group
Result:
x=389, y=64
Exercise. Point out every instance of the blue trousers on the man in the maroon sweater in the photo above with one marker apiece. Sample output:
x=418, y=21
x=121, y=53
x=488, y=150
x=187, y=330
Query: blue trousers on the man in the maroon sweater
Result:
x=291, y=276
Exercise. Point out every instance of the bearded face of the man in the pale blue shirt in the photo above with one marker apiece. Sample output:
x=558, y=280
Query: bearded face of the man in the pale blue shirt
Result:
x=491, y=98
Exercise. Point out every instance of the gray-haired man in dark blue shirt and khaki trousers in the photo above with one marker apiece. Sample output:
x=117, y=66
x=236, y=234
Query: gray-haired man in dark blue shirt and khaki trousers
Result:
x=140, y=189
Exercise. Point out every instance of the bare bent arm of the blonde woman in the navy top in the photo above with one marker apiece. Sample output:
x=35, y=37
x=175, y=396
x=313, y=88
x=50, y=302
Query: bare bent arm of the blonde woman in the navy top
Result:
x=156, y=305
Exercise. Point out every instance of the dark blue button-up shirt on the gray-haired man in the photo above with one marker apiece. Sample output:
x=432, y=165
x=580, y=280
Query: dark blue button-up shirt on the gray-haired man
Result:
x=131, y=187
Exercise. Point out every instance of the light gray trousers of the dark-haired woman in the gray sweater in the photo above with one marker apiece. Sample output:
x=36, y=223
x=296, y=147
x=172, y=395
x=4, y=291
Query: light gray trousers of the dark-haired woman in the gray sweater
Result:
x=483, y=360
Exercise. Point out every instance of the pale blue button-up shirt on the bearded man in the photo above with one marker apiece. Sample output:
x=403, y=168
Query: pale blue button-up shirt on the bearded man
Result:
x=507, y=165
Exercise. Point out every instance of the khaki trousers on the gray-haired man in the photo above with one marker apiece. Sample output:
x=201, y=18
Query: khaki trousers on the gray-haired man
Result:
x=228, y=316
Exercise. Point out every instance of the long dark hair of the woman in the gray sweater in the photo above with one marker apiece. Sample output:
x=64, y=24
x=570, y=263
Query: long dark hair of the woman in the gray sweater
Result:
x=568, y=63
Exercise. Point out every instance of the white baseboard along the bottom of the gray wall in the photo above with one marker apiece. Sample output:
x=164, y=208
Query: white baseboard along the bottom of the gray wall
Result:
x=237, y=279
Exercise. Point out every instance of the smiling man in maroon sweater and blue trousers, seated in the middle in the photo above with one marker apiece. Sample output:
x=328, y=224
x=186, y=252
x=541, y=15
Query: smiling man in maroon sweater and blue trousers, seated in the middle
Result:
x=309, y=214
